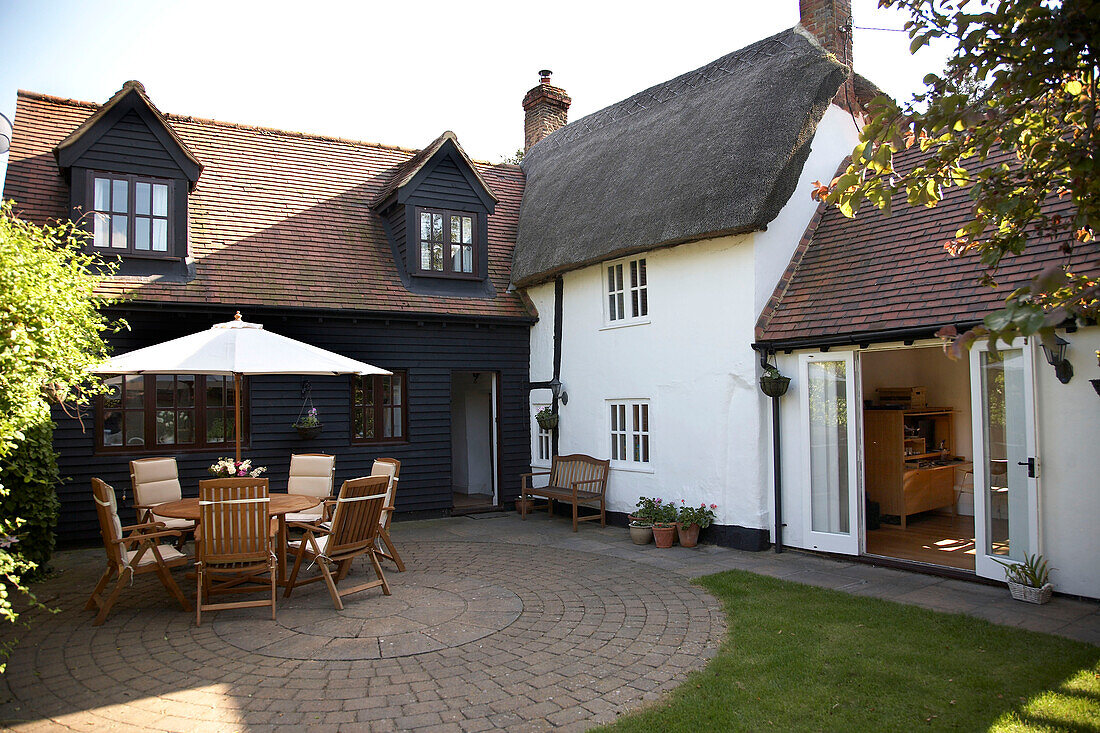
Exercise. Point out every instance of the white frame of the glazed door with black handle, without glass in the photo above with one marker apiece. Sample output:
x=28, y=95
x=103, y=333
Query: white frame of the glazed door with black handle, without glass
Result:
x=985, y=565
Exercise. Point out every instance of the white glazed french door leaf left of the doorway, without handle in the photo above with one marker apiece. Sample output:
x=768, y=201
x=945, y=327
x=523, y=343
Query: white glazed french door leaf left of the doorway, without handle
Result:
x=831, y=466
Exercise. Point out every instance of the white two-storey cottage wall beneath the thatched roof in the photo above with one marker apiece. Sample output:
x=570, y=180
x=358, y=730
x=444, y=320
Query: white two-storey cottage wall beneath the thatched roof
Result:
x=692, y=360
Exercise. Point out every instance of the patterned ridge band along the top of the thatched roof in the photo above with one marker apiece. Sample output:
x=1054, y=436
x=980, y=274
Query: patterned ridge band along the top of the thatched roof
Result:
x=669, y=90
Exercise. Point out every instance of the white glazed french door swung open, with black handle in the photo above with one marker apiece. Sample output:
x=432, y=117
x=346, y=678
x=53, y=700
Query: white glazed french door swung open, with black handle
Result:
x=1006, y=476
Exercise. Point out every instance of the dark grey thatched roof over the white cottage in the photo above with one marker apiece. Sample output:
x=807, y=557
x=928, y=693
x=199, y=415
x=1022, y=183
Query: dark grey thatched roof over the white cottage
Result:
x=716, y=151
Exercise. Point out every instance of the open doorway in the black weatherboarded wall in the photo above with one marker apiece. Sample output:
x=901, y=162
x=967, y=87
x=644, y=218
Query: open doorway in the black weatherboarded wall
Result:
x=474, y=442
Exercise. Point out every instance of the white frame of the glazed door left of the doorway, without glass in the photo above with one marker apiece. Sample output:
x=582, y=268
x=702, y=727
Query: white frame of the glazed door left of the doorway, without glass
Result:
x=849, y=543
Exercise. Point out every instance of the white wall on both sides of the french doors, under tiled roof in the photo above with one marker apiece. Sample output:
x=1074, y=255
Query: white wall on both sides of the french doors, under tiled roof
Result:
x=1068, y=425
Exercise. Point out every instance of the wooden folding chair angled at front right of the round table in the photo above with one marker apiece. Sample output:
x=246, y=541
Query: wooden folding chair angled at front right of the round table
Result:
x=355, y=529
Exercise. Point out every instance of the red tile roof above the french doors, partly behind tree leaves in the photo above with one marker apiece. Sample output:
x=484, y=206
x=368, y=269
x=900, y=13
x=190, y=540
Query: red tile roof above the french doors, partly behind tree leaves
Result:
x=876, y=273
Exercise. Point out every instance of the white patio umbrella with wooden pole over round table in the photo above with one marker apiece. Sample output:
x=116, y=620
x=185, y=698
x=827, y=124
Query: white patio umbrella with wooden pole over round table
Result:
x=236, y=348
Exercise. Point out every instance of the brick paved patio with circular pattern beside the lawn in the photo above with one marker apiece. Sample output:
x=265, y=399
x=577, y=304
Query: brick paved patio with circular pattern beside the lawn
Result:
x=498, y=625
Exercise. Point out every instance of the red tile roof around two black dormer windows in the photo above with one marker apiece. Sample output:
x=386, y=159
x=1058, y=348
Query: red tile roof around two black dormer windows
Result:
x=278, y=218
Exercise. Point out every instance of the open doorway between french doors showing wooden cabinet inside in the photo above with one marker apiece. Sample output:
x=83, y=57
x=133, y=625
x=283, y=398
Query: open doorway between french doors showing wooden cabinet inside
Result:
x=918, y=457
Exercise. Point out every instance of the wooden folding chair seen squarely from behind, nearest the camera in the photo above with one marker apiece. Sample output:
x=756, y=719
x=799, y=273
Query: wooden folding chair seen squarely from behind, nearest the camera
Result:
x=235, y=544
